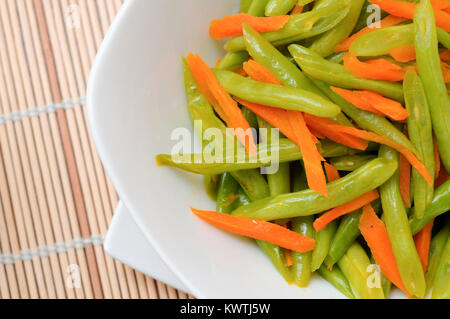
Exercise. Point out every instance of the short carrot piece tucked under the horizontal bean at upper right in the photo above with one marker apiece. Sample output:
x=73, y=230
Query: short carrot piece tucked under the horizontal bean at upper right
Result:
x=378, y=69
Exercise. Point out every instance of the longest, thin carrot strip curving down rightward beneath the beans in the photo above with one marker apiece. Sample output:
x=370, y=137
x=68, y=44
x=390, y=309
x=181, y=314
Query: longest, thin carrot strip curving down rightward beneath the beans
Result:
x=369, y=136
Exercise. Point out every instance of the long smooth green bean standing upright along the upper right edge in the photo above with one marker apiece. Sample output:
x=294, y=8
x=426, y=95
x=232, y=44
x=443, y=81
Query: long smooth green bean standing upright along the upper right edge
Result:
x=429, y=65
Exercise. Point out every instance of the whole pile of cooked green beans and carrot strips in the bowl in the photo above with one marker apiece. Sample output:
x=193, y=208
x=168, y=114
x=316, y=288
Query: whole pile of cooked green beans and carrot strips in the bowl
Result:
x=325, y=137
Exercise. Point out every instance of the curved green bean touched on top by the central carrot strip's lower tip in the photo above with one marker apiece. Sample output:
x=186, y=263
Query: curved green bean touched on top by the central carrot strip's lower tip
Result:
x=308, y=202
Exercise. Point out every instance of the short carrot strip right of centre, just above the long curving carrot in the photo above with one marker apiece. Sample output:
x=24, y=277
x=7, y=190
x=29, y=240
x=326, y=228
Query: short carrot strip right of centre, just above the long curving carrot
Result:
x=390, y=108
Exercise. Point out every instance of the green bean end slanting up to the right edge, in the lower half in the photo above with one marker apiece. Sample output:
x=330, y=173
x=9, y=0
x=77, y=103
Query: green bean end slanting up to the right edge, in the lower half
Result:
x=439, y=205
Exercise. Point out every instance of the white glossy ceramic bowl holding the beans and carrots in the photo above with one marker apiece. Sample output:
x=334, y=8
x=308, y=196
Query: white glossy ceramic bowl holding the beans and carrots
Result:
x=135, y=100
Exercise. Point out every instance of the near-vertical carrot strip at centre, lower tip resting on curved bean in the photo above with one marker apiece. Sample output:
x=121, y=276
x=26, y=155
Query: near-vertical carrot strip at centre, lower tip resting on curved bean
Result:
x=311, y=156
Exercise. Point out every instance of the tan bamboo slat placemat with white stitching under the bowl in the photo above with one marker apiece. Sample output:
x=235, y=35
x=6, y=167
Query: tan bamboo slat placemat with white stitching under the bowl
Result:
x=56, y=200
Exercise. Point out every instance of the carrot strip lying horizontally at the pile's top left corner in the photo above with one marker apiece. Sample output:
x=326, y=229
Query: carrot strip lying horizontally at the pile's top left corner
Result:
x=232, y=25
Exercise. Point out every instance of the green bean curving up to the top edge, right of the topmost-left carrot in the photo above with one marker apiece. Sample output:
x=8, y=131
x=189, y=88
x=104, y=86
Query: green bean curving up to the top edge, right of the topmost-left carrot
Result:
x=326, y=42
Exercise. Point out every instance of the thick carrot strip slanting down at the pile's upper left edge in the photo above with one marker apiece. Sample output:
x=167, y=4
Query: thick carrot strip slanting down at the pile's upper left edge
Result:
x=222, y=102
